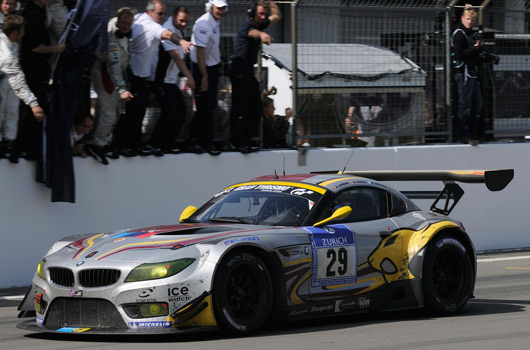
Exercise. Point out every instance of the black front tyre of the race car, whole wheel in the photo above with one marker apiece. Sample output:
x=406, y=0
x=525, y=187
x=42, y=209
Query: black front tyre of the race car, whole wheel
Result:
x=242, y=293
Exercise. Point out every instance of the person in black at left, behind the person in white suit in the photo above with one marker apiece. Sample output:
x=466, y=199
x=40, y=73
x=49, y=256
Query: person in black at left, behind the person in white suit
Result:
x=35, y=51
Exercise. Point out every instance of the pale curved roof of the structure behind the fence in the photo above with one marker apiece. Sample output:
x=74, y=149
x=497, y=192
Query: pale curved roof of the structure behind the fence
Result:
x=346, y=65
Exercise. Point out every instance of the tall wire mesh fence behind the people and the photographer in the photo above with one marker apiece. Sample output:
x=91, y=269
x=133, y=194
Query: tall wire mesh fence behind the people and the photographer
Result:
x=377, y=72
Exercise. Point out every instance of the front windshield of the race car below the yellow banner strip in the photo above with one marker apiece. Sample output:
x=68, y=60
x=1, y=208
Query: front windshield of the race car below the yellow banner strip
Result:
x=259, y=204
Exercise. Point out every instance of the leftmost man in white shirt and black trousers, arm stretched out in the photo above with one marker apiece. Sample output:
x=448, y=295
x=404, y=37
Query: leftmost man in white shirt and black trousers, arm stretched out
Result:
x=147, y=33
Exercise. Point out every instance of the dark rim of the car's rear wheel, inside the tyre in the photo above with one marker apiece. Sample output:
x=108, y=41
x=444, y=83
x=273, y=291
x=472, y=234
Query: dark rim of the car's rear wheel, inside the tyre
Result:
x=448, y=271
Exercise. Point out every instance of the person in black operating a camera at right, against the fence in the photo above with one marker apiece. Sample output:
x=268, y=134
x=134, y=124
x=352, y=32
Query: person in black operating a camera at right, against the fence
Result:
x=467, y=58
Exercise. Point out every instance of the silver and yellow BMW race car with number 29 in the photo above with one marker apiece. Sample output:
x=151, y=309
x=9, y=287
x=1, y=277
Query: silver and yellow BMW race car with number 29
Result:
x=276, y=248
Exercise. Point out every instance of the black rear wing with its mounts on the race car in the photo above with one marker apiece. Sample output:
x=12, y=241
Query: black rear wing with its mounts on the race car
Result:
x=495, y=180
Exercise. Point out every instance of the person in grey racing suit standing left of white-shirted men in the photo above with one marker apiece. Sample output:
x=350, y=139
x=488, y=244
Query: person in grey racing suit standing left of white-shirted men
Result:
x=109, y=81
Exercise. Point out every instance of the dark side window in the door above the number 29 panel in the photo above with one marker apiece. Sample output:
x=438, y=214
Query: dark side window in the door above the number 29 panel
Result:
x=366, y=203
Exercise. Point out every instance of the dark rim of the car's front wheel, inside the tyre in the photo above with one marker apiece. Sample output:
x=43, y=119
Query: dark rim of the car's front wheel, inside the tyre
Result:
x=242, y=292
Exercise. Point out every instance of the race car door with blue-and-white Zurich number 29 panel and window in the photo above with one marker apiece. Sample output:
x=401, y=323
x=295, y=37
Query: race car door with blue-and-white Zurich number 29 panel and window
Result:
x=342, y=250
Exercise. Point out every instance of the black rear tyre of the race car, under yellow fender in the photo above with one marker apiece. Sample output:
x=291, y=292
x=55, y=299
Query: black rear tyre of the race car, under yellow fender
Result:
x=447, y=276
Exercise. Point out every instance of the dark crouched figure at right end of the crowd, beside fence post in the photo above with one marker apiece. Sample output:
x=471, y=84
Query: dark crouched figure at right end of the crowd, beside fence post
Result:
x=274, y=126
